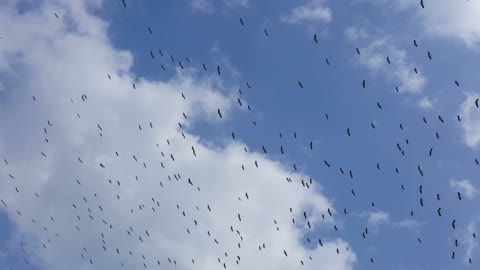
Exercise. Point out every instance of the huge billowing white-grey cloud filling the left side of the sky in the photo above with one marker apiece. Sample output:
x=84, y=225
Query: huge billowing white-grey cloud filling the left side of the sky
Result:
x=150, y=203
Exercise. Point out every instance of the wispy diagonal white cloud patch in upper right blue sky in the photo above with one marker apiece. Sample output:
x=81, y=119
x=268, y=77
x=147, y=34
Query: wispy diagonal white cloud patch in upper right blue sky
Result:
x=374, y=53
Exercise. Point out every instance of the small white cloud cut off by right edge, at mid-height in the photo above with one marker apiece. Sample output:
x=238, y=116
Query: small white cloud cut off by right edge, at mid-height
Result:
x=470, y=115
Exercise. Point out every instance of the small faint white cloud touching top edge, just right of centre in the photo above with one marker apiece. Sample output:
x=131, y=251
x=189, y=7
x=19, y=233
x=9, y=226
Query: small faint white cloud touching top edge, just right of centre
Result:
x=313, y=11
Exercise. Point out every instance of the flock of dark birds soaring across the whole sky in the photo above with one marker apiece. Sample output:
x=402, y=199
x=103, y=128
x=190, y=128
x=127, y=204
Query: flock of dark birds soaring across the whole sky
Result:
x=307, y=184
